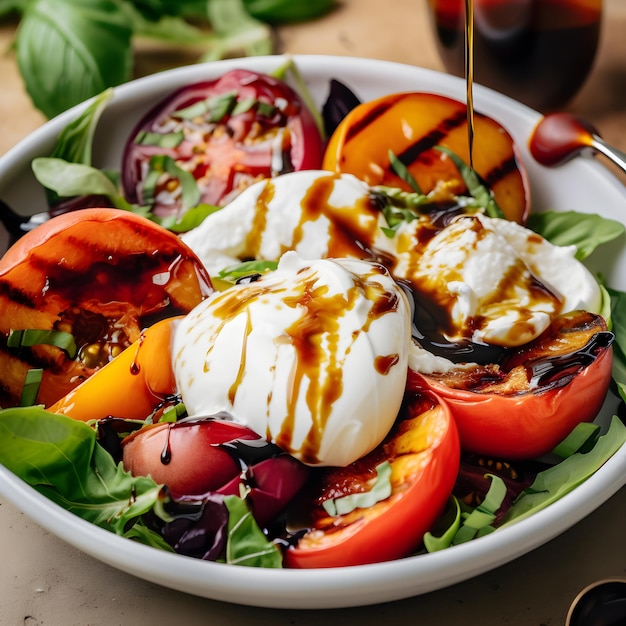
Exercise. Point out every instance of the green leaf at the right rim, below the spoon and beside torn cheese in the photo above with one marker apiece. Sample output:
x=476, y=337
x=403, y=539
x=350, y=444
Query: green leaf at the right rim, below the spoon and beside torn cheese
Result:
x=586, y=231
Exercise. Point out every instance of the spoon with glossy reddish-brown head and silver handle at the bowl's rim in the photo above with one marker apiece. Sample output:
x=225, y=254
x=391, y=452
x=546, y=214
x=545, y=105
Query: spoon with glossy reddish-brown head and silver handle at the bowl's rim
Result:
x=559, y=137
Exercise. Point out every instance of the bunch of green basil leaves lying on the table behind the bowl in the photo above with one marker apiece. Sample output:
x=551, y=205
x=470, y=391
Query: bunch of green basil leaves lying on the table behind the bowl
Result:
x=71, y=50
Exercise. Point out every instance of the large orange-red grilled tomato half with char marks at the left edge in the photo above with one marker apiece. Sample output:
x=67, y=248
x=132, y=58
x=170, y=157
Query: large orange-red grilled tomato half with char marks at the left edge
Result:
x=100, y=275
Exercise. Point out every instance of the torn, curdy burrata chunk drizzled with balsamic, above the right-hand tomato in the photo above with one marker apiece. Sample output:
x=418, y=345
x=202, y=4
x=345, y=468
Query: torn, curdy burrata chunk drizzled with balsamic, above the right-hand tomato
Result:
x=501, y=283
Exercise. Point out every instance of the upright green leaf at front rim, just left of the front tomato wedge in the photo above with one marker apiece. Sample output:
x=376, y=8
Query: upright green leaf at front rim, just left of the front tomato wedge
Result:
x=247, y=545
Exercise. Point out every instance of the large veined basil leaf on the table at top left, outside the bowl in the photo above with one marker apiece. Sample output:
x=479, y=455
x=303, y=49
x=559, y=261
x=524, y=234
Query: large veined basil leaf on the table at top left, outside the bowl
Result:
x=70, y=50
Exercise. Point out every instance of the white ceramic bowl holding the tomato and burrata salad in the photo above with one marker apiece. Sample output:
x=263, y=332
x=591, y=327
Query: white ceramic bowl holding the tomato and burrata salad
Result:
x=581, y=185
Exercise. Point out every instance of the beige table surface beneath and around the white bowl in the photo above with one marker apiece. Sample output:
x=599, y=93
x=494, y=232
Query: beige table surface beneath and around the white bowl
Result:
x=45, y=581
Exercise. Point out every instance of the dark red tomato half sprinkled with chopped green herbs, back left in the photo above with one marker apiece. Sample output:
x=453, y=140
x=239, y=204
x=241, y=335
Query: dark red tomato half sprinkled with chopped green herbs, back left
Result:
x=227, y=133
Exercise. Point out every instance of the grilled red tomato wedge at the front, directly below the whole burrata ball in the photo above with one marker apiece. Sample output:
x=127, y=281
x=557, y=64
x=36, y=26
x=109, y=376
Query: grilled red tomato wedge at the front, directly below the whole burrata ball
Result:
x=423, y=452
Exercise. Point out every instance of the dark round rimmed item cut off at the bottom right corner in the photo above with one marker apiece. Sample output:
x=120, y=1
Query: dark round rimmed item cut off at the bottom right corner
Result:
x=602, y=603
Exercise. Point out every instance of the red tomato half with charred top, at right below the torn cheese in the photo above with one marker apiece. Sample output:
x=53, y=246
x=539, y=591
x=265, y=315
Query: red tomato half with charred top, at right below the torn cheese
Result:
x=545, y=390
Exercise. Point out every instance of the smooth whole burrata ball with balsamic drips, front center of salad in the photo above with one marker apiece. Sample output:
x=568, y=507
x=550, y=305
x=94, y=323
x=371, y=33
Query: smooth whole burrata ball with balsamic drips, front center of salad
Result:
x=313, y=356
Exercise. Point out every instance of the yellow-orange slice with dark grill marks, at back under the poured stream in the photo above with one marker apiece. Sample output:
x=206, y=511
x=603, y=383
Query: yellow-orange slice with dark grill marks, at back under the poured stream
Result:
x=411, y=125
